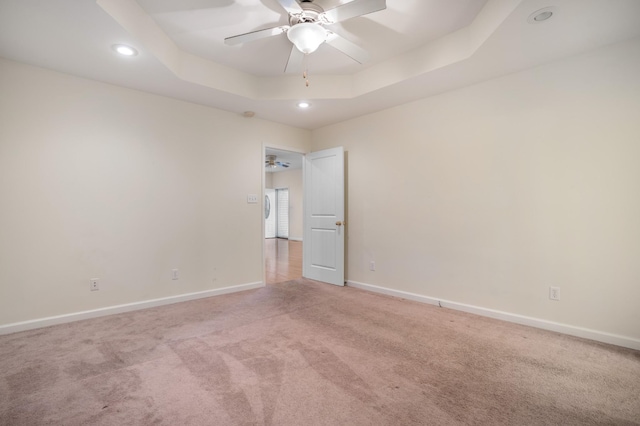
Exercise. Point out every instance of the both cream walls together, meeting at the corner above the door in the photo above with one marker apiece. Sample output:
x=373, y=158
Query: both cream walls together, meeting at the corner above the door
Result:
x=491, y=193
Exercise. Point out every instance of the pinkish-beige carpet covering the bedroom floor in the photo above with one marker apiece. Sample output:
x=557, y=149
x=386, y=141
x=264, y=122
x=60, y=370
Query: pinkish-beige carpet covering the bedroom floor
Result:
x=304, y=353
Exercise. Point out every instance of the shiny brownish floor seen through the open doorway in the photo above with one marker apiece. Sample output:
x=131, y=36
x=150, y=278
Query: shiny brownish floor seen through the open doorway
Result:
x=283, y=260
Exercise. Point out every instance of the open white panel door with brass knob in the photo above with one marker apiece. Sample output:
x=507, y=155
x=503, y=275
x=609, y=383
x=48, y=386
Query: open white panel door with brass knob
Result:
x=323, y=247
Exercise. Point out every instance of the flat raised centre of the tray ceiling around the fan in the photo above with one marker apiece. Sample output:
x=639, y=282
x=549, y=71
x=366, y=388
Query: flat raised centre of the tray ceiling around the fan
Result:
x=199, y=27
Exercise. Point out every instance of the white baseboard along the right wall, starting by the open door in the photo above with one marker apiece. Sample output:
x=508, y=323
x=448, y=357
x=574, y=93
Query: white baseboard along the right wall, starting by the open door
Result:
x=614, y=339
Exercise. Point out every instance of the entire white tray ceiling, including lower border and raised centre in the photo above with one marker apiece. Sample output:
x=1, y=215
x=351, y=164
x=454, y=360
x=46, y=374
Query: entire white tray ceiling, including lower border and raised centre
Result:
x=418, y=48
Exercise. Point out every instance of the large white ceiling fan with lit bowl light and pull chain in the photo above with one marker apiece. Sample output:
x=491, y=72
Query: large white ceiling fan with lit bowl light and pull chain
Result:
x=307, y=28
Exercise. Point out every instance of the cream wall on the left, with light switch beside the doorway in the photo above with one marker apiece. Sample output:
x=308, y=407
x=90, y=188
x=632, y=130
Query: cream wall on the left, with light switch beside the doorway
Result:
x=102, y=181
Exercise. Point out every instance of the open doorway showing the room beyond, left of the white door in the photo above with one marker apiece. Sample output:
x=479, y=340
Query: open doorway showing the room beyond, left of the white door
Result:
x=283, y=232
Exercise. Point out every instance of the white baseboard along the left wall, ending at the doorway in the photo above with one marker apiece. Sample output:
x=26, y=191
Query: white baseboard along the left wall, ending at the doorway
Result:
x=110, y=310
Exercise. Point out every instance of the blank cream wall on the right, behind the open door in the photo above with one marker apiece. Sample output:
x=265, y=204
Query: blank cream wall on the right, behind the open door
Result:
x=490, y=194
